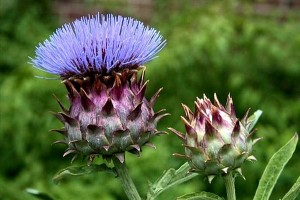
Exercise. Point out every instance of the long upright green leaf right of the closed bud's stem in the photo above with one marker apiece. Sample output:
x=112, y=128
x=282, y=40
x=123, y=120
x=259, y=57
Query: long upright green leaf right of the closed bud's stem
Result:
x=274, y=169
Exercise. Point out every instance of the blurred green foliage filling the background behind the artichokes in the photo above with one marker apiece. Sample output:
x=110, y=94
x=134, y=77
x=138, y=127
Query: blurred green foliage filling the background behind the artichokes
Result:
x=211, y=48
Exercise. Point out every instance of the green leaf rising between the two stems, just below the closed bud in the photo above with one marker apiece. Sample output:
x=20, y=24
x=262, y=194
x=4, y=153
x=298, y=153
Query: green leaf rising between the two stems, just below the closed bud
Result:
x=168, y=179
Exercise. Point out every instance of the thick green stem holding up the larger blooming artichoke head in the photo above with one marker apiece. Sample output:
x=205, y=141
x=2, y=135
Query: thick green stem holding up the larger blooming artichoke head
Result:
x=126, y=181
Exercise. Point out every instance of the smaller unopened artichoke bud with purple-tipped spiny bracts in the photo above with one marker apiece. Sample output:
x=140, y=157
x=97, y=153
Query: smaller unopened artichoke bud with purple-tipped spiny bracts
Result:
x=216, y=141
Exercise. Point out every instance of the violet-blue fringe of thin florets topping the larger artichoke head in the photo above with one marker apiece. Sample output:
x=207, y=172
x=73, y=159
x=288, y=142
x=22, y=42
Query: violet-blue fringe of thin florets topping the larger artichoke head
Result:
x=98, y=44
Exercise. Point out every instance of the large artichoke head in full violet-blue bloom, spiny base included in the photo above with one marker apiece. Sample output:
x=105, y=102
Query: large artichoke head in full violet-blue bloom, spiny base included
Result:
x=99, y=59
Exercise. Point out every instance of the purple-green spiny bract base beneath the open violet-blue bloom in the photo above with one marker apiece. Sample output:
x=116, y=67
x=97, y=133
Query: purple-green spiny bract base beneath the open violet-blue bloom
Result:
x=108, y=115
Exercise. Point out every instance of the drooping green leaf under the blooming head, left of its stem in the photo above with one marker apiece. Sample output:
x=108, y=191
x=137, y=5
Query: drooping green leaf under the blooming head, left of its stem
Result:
x=81, y=170
